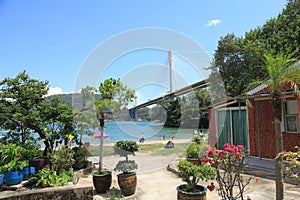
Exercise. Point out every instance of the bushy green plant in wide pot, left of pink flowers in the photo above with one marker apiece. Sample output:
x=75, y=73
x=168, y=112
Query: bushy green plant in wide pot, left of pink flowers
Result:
x=192, y=174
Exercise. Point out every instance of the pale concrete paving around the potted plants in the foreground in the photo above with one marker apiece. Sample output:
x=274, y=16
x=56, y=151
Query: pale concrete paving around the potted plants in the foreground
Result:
x=155, y=181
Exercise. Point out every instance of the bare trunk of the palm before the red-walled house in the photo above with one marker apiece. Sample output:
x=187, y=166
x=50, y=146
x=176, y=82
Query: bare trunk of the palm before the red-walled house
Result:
x=277, y=111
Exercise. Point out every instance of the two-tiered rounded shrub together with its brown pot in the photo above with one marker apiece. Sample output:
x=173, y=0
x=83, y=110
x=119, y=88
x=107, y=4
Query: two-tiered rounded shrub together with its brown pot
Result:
x=127, y=179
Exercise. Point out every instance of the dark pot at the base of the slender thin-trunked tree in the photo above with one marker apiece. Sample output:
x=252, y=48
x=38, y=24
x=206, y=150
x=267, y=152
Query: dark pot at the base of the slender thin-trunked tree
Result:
x=102, y=182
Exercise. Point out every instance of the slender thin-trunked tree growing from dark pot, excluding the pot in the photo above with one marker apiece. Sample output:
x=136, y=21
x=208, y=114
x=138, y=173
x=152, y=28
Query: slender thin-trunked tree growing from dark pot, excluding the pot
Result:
x=115, y=96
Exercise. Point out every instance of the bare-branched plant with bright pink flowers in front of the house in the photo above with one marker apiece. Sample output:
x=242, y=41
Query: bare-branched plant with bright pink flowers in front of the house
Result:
x=229, y=164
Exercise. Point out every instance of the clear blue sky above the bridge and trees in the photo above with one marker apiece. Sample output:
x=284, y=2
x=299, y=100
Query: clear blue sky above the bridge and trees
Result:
x=51, y=39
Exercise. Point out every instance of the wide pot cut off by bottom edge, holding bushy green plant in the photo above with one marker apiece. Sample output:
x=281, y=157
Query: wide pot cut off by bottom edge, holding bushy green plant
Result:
x=200, y=194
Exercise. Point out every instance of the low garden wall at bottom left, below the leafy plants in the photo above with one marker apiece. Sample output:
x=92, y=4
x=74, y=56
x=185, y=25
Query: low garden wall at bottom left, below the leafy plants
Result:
x=57, y=193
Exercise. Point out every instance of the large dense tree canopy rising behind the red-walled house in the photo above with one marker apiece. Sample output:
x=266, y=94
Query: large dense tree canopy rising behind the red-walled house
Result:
x=240, y=60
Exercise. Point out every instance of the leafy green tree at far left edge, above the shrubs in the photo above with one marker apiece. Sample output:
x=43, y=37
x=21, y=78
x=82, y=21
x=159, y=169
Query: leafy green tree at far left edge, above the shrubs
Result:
x=21, y=100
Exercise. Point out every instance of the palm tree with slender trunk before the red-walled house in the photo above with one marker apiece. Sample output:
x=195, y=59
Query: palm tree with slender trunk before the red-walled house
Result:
x=282, y=71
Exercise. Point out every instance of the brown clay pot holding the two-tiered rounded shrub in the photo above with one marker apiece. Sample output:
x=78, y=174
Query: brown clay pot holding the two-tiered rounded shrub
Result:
x=127, y=183
